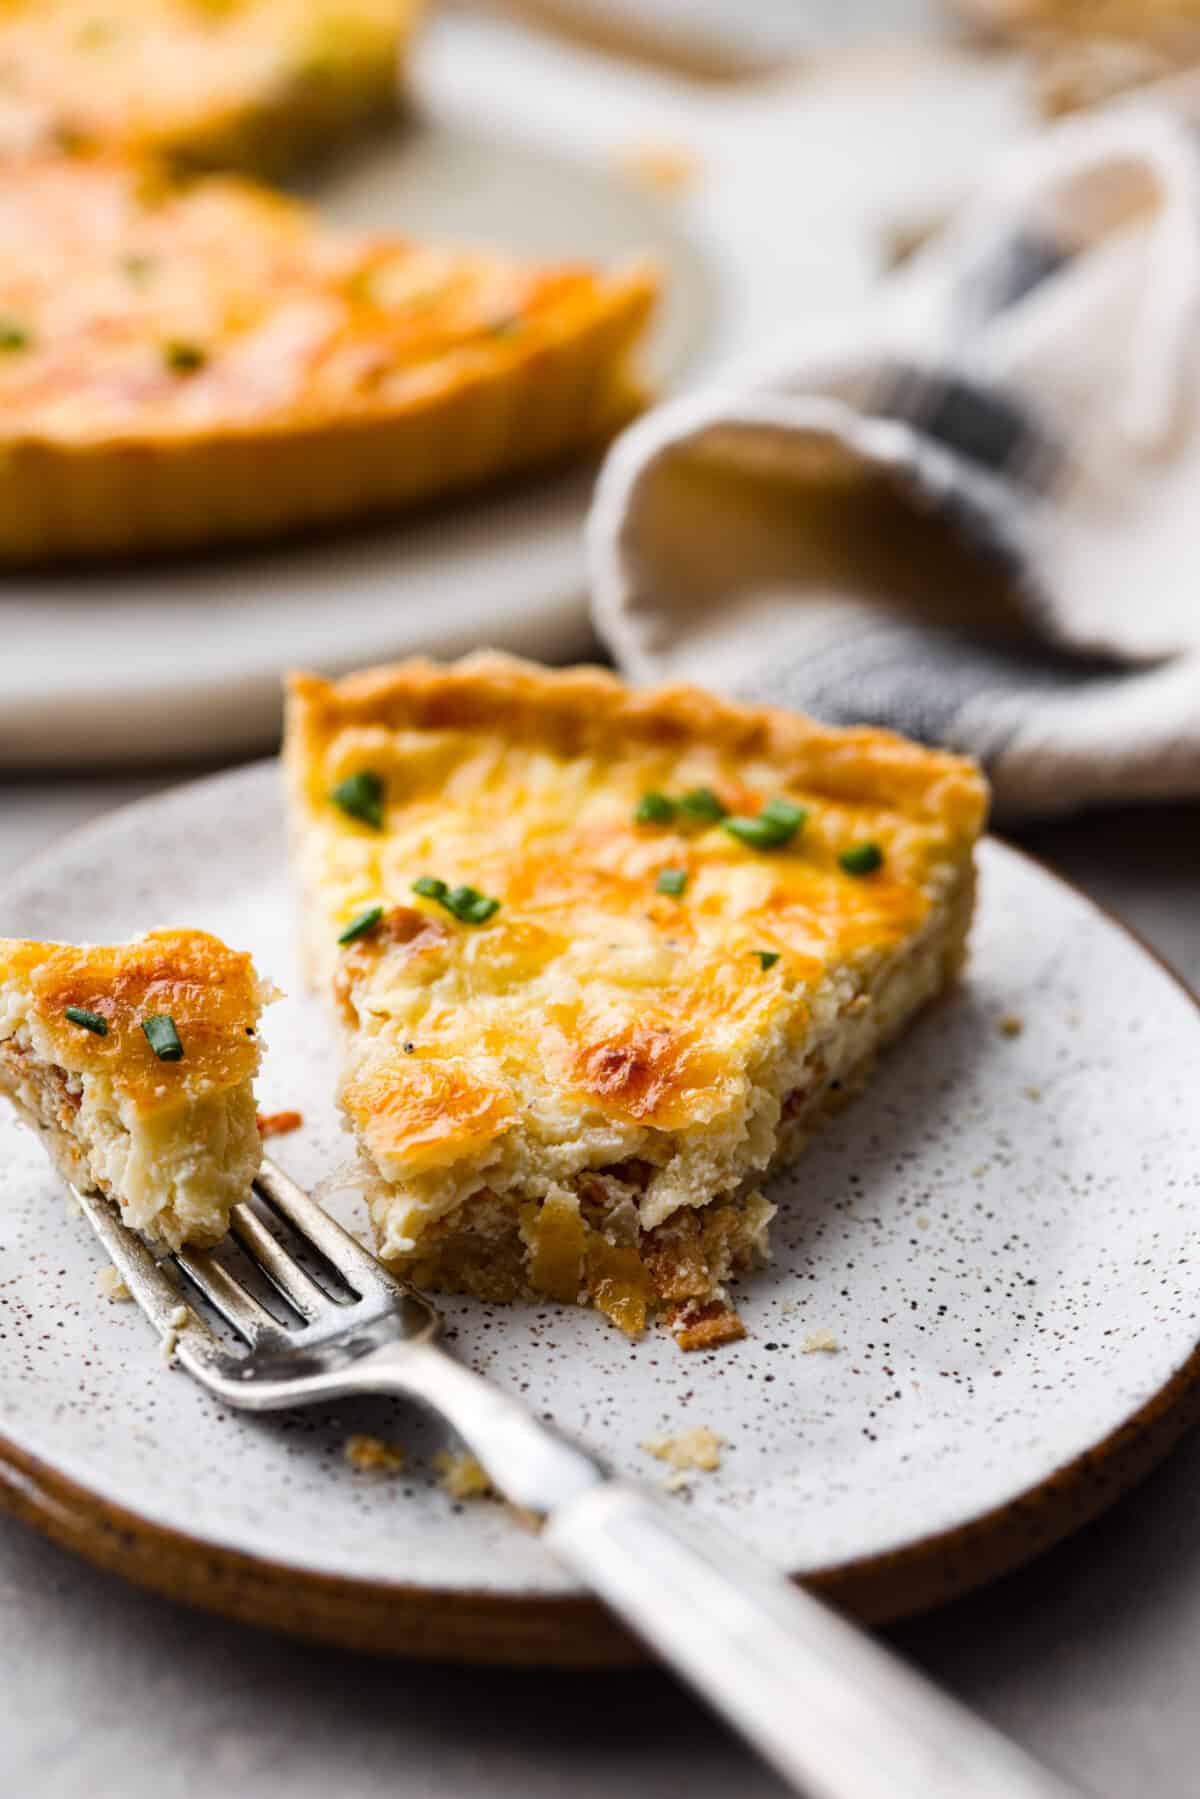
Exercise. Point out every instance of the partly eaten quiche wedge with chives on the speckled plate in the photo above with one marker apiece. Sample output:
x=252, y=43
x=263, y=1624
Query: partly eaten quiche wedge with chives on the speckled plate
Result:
x=604, y=958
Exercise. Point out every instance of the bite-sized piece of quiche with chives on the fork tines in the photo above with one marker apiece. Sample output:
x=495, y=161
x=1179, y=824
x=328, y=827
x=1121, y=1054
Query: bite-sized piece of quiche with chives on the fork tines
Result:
x=136, y=1066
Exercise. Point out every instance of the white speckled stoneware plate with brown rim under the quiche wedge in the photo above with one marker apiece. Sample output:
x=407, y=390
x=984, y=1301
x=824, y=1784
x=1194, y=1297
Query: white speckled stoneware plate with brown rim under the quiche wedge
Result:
x=1001, y=1239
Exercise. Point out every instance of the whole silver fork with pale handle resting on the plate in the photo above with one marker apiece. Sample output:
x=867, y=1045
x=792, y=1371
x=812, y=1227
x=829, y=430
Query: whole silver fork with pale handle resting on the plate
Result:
x=834, y=1712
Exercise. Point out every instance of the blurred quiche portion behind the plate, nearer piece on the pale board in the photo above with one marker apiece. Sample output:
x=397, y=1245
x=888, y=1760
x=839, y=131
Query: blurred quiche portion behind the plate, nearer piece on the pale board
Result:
x=204, y=362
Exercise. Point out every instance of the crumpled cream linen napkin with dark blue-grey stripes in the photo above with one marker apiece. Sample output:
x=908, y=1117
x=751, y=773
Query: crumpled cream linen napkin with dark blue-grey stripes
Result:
x=969, y=512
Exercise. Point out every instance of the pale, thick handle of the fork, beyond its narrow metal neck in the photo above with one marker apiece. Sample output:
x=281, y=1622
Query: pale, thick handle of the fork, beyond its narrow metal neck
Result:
x=832, y=1710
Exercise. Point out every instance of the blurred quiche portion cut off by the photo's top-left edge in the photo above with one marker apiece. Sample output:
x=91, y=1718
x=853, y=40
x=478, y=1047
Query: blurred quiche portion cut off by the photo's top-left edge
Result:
x=213, y=84
